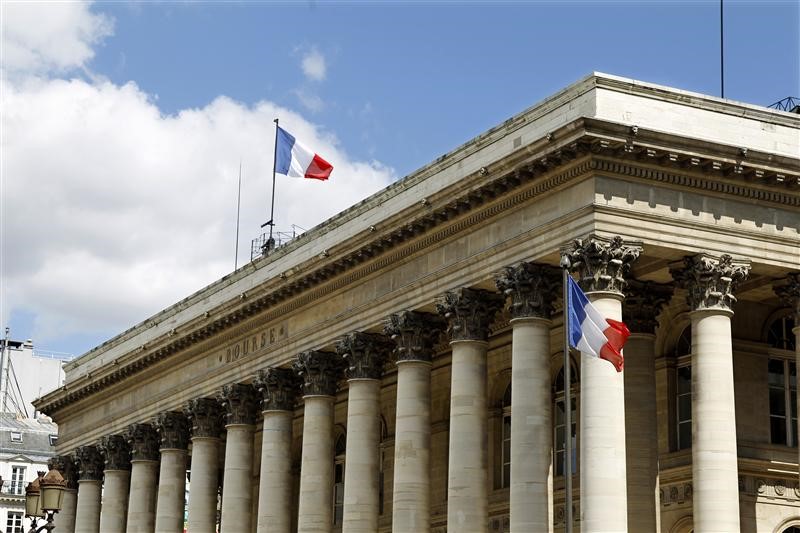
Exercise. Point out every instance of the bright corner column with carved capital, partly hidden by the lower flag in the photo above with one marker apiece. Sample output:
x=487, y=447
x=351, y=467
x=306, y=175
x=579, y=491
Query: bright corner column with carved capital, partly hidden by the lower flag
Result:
x=602, y=265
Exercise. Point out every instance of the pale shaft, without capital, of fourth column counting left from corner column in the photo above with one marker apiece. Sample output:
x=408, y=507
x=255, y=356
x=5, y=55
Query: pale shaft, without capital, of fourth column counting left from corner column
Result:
x=411, y=505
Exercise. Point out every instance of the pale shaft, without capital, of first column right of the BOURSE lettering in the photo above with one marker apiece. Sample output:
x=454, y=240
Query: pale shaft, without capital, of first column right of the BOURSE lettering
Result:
x=316, y=472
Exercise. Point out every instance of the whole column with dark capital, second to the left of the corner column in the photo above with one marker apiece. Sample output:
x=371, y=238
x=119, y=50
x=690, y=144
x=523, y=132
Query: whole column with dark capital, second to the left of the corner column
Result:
x=469, y=313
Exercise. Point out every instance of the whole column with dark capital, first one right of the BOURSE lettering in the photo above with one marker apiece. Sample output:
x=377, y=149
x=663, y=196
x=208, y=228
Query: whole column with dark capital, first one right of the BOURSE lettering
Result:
x=319, y=372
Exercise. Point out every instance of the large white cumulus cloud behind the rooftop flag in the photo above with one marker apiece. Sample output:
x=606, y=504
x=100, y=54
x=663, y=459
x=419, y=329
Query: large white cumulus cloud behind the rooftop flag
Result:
x=113, y=210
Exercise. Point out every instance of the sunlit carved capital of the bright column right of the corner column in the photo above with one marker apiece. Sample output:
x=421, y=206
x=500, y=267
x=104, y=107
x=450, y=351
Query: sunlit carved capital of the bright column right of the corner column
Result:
x=710, y=281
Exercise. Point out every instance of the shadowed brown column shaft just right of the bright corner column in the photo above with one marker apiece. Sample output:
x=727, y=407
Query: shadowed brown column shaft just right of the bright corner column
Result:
x=641, y=433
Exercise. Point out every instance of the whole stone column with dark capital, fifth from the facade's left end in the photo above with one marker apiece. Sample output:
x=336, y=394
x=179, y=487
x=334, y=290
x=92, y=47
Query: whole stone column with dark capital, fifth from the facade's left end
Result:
x=173, y=433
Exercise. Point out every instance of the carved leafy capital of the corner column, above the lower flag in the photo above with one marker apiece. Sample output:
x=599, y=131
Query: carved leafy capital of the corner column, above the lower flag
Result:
x=601, y=263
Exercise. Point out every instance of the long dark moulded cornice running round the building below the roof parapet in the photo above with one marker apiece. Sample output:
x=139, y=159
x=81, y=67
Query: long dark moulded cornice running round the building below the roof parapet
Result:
x=572, y=152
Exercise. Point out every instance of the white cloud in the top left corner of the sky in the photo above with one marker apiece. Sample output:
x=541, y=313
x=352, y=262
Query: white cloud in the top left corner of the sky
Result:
x=53, y=36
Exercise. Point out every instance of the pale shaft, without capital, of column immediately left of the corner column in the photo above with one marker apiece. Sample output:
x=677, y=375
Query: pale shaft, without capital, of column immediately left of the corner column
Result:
x=531, y=427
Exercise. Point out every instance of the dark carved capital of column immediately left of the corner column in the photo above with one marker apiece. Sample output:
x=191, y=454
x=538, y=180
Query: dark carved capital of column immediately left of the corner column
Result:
x=532, y=288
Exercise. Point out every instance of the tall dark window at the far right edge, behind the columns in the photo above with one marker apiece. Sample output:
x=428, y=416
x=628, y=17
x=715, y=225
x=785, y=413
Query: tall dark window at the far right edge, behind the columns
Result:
x=782, y=380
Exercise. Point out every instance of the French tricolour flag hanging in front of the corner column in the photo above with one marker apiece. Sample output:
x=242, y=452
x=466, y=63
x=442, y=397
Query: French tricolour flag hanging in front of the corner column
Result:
x=590, y=332
